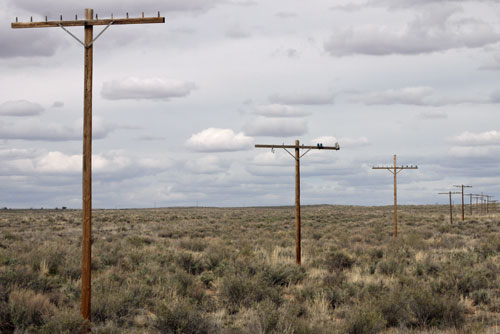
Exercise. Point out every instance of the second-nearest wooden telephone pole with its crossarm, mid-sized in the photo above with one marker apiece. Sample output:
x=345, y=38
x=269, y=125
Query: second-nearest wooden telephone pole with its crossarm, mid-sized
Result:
x=297, y=158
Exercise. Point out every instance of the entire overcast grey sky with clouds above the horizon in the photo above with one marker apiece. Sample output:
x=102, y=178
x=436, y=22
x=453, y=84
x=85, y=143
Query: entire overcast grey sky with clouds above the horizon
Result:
x=178, y=107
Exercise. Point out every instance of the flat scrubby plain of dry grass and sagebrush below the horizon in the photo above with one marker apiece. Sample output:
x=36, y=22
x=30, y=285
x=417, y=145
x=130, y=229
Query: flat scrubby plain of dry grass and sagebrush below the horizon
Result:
x=232, y=270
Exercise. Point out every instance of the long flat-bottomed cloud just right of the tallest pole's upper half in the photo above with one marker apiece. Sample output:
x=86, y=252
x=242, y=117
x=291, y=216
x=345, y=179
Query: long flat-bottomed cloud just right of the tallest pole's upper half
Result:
x=146, y=88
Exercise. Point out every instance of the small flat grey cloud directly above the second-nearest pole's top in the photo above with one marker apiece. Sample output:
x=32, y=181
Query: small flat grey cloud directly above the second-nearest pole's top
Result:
x=276, y=127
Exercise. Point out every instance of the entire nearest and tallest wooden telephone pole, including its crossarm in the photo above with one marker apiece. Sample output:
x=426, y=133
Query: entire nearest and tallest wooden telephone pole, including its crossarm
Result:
x=88, y=24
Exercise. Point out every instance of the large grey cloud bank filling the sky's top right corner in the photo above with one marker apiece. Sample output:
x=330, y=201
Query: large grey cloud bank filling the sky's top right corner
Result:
x=433, y=29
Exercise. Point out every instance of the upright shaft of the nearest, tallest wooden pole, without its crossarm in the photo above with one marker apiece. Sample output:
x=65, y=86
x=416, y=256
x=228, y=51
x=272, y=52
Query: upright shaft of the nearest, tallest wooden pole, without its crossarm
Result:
x=87, y=169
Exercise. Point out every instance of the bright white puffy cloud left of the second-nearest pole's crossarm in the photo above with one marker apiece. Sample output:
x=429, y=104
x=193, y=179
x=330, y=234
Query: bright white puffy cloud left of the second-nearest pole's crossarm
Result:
x=219, y=140
